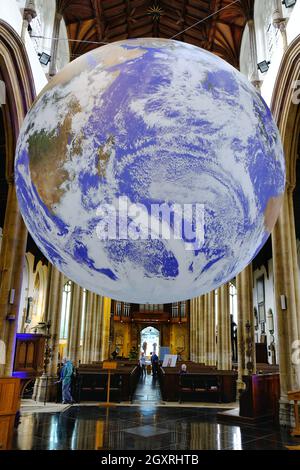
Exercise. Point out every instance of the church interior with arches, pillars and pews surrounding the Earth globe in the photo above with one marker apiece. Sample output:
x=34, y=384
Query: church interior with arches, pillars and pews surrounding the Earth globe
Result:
x=239, y=344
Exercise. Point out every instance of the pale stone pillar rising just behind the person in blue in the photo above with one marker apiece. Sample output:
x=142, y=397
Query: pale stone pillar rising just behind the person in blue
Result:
x=74, y=329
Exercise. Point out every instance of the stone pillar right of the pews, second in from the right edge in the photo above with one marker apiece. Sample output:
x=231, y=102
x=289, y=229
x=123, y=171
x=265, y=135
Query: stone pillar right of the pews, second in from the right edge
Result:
x=245, y=327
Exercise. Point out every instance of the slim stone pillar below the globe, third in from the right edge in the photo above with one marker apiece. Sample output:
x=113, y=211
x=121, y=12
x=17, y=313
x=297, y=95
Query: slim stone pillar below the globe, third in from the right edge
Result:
x=224, y=358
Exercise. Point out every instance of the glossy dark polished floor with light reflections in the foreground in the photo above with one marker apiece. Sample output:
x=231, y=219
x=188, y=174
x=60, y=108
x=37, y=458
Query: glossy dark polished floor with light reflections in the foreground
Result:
x=143, y=427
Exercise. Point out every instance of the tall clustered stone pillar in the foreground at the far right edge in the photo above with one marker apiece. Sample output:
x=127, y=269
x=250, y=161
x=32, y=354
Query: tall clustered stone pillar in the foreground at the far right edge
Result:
x=286, y=283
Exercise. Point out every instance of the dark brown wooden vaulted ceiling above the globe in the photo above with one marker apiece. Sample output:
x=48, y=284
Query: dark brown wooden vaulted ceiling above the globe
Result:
x=105, y=21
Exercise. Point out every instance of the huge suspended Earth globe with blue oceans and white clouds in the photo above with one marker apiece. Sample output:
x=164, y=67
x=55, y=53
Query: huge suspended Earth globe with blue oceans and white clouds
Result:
x=149, y=170
